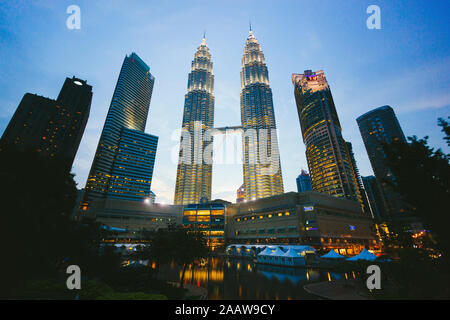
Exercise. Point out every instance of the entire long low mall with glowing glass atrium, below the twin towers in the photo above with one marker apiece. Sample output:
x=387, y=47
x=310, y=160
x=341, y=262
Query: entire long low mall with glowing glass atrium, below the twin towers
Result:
x=309, y=218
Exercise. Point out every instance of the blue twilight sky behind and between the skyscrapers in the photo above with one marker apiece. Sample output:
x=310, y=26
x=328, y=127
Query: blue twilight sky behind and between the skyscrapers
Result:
x=406, y=64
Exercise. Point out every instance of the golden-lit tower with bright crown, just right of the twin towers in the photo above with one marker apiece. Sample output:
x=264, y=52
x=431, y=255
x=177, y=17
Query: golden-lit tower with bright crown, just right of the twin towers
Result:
x=329, y=160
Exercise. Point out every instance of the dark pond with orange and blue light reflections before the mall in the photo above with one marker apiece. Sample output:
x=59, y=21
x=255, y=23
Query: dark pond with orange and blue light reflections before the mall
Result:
x=243, y=279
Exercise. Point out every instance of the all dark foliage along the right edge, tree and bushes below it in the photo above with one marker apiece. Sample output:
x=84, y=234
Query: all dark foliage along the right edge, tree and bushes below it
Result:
x=422, y=177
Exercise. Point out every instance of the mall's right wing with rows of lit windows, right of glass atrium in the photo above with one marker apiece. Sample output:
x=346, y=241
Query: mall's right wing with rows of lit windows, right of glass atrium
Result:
x=308, y=218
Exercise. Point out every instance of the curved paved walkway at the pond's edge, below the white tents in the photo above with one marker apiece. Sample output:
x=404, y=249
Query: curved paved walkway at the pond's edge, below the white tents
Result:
x=335, y=290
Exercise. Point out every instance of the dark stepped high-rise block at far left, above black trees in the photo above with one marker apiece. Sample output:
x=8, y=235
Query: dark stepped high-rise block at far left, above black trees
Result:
x=53, y=128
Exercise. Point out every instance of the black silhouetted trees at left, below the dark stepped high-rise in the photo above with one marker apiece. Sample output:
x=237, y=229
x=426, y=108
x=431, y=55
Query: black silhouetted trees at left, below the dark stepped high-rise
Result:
x=38, y=196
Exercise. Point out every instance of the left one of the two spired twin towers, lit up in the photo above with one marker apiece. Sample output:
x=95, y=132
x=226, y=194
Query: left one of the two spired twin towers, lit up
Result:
x=194, y=166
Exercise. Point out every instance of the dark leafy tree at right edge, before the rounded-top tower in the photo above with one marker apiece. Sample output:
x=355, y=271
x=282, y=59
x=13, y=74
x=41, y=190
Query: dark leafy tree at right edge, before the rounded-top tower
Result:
x=422, y=177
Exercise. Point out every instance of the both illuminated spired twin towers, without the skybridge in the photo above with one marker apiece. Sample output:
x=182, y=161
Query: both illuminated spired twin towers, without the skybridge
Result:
x=261, y=159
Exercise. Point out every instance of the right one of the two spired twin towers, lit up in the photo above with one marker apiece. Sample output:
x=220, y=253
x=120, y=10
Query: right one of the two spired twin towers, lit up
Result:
x=261, y=158
